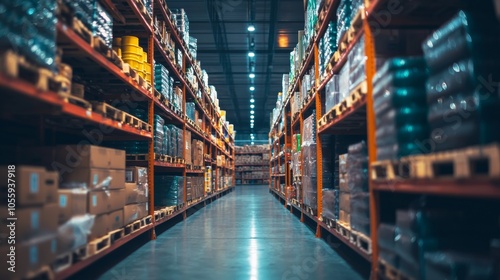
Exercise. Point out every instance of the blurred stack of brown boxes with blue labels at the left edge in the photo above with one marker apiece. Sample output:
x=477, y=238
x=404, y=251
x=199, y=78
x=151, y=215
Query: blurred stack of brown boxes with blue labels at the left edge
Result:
x=34, y=230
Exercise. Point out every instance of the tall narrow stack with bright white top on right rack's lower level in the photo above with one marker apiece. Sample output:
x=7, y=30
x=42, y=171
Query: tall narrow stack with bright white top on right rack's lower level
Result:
x=308, y=149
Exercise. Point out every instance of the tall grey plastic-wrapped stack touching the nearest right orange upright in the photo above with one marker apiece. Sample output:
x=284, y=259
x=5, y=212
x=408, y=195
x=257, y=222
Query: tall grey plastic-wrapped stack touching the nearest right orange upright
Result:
x=357, y=162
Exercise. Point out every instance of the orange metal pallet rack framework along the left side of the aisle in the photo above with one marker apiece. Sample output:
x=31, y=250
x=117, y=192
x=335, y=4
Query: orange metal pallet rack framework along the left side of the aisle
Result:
x=44, y=110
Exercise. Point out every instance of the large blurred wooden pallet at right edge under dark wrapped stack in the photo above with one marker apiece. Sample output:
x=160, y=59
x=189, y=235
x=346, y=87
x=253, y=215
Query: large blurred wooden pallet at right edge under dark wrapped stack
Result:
x=472, y=162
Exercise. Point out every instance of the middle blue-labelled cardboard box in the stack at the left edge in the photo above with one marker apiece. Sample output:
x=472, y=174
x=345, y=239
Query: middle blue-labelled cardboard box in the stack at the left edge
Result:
x=32, y=221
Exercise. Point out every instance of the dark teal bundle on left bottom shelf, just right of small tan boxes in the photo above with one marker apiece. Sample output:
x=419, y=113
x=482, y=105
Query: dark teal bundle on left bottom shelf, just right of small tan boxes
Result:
x=169, y=190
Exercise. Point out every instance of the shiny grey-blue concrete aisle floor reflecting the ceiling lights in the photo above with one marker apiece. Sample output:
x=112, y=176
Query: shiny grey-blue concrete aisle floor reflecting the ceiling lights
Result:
x=245, y=235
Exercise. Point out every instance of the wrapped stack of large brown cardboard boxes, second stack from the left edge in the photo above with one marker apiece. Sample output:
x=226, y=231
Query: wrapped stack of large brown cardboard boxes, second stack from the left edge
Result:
x=101, y=175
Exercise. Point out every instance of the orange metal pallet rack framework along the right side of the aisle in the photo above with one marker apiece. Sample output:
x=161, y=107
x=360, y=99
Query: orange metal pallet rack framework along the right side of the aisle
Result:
x=359, y=119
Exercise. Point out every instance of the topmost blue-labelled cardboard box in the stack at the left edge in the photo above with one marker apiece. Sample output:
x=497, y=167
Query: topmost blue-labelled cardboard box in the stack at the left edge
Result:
x=29, y=185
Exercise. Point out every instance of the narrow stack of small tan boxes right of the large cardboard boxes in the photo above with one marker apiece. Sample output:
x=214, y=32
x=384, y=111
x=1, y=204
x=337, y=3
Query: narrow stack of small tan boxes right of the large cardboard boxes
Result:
x=136, y=194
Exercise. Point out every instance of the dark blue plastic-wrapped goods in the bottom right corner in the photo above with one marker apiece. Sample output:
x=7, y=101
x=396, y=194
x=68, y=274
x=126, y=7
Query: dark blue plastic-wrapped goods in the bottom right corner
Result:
x=457, y=265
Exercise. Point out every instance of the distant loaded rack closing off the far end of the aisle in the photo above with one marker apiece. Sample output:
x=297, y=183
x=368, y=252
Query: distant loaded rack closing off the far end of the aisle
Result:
x=244, y=170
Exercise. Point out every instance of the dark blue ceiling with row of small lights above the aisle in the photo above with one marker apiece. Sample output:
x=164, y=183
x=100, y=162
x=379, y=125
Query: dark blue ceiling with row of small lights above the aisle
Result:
x=220, y=26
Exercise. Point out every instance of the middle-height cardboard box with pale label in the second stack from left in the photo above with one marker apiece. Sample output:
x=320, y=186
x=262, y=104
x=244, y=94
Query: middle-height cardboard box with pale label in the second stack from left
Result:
x=100, y=202
